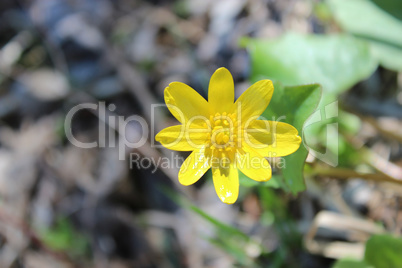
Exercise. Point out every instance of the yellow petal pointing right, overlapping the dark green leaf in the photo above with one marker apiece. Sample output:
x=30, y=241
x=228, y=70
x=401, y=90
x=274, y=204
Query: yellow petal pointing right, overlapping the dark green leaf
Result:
x=271, y=138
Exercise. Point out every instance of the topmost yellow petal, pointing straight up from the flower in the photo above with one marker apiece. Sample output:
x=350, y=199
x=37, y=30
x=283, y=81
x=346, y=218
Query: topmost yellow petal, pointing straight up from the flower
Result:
x=221, y=91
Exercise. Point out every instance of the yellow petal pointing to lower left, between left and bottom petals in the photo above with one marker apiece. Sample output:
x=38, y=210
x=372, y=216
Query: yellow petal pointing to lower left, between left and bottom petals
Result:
x=195, y=165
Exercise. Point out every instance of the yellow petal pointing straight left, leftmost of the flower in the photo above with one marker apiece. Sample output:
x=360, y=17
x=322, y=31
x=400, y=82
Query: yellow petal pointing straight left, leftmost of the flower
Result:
x=179, y=139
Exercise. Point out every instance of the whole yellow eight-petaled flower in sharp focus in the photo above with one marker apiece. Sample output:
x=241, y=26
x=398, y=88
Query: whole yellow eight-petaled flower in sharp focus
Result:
x=225, y=135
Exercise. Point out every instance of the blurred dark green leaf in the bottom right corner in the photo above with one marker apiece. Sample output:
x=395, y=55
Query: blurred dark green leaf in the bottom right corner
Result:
x=383, y=251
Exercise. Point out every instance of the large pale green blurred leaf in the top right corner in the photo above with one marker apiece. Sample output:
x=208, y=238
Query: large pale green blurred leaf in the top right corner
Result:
x=381, y=30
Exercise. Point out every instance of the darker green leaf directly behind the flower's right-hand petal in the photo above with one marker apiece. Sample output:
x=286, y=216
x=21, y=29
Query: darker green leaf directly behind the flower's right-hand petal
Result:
x=294, y=105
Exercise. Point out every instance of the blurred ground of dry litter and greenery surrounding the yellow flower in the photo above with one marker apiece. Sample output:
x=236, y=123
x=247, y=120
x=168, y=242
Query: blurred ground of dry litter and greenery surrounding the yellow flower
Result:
x=65, y=206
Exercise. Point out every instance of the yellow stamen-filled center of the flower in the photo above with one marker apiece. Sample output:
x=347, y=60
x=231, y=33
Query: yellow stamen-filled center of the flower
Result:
x=223, y=136
